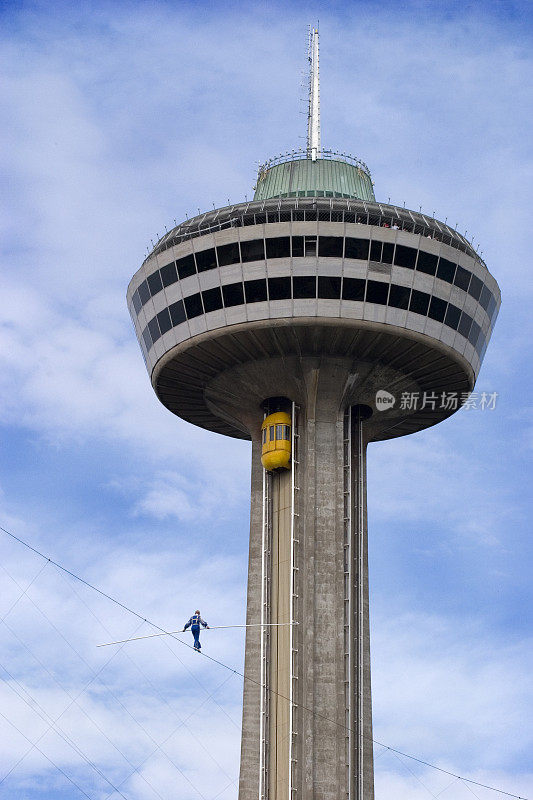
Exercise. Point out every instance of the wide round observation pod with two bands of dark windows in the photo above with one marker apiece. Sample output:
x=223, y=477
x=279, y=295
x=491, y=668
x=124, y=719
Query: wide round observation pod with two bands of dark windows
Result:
x=319, y=278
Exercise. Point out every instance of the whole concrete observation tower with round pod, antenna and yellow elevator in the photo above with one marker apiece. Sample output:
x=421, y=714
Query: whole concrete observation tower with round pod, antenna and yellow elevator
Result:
x=351, y=321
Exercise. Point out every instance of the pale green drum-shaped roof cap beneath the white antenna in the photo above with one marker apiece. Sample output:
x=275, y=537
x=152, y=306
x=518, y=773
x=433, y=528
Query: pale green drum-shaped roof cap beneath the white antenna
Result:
x=330, y=174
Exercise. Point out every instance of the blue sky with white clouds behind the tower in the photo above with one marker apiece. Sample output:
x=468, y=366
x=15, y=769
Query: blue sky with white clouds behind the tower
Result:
x=119, y=118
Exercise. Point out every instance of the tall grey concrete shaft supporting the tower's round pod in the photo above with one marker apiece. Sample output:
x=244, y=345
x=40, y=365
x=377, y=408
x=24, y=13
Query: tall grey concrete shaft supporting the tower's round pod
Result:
x=325, y=768
